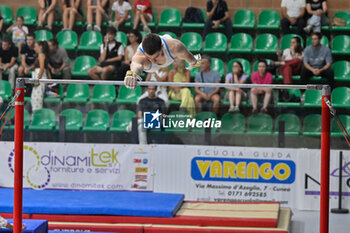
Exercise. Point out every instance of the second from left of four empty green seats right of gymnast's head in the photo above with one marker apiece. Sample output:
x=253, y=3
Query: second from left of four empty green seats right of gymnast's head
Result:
x=215, y=42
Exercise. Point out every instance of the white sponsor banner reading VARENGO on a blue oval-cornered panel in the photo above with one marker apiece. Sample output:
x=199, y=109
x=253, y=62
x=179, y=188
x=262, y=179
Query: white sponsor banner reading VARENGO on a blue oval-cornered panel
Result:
x=208, y=173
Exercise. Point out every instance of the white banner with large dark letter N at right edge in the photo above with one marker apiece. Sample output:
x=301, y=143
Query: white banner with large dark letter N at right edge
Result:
x=309, y=170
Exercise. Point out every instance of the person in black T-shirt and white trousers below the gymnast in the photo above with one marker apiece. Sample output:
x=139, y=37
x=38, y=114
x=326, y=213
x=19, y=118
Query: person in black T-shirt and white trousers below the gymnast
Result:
x=151, y=103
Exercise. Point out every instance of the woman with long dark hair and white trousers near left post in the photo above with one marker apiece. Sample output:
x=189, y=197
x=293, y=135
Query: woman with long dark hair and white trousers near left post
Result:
x=40, y=72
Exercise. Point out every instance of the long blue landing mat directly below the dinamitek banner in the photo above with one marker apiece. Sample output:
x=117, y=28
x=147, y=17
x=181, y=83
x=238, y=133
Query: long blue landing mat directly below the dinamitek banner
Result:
x=126, y=203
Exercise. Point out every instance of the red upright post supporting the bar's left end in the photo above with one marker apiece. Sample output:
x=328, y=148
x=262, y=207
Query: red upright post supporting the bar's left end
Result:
x=18, y=181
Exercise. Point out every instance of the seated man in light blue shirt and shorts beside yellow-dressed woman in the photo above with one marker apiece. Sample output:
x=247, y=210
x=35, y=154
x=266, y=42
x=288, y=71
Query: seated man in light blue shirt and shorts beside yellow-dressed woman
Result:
x=206, y=75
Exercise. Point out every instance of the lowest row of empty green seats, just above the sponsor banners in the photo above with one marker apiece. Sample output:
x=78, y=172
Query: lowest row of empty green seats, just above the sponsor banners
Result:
x=256, y=124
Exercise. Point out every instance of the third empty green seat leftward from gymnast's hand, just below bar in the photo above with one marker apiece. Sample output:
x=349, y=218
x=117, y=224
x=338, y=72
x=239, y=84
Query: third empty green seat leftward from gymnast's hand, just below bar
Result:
x=77, y=93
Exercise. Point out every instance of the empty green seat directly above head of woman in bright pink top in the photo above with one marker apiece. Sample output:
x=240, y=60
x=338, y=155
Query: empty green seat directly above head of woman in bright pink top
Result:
x=266, y=44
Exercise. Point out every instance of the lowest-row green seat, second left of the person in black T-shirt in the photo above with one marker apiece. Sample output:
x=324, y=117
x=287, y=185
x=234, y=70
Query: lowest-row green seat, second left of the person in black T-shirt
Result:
x=96, y=121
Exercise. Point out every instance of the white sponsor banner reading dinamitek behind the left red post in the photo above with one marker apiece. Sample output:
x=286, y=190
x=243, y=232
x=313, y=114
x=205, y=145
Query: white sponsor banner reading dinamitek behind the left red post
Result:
x=77, y=166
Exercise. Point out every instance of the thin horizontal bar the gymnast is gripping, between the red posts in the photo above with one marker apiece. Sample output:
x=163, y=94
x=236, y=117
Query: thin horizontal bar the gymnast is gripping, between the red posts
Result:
x=224, y=85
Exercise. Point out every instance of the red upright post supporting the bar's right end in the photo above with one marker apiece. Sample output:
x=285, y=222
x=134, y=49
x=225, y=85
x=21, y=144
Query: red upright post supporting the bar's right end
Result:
x=325, y=158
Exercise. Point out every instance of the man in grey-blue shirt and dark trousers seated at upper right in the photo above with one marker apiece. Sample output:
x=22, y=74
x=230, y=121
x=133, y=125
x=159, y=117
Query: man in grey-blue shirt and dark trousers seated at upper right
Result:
x=317, y=61
